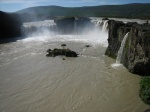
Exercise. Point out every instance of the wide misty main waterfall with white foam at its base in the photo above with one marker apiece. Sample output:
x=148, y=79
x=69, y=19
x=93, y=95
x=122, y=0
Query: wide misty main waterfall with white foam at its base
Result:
x=44, y=32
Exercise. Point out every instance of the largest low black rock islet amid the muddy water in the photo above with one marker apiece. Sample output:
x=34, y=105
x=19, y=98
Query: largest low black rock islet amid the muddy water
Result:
x=57, y=52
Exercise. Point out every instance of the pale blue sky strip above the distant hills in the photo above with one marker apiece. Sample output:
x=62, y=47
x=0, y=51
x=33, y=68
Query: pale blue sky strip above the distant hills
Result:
x=15, y=5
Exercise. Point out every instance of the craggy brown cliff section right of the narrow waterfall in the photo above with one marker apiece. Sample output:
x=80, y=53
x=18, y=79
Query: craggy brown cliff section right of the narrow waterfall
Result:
x=138, y=50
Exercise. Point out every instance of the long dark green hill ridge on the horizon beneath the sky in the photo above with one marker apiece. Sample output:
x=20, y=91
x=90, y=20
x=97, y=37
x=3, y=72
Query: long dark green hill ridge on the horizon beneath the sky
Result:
x=135, y=10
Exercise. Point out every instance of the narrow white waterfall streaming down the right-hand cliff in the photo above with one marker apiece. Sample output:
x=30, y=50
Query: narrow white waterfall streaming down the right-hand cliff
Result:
x=118, y=60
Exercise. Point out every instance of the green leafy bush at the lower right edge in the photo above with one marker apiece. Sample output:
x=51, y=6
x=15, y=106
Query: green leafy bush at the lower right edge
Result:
x=145, y=89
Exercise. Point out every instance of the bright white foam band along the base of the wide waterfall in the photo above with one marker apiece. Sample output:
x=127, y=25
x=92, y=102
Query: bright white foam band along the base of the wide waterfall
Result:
x=95, y=37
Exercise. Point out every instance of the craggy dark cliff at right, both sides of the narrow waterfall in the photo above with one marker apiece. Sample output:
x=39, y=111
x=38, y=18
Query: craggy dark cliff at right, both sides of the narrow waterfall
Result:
x=136, y=53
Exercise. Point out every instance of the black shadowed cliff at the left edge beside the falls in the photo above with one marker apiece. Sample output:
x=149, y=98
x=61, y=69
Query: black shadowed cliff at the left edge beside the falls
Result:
x=10, y=26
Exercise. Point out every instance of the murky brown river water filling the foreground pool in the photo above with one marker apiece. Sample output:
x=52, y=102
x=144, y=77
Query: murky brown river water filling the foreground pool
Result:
x=32, y=82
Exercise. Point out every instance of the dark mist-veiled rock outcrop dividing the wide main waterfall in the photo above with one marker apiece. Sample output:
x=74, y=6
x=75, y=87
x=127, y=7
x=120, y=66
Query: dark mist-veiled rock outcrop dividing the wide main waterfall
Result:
x=73, y=24
